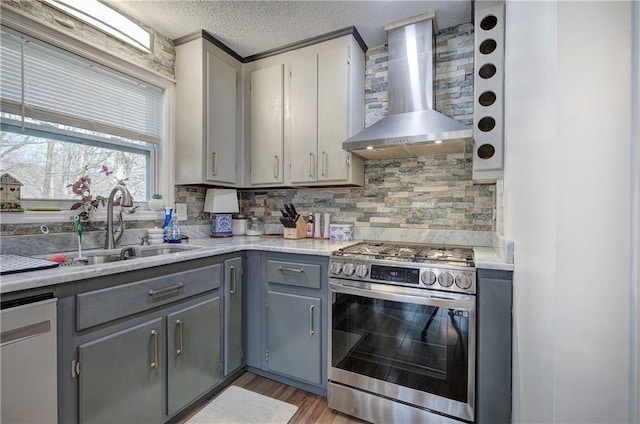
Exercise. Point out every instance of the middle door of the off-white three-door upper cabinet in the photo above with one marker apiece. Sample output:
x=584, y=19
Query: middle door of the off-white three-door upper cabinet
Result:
x=303, y=119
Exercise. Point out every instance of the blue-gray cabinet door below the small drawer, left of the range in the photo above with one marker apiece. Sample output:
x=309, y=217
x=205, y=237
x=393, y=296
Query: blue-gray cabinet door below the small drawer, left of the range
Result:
x=293, y=336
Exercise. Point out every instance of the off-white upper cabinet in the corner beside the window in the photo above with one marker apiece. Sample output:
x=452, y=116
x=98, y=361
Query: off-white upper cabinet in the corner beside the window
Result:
x=206, y=147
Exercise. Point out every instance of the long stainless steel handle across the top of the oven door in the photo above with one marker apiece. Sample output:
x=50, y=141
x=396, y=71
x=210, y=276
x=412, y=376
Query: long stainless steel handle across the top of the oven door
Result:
x=445, y=300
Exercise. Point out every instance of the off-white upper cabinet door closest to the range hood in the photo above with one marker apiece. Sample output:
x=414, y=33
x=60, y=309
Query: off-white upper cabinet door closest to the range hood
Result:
x=333, y=114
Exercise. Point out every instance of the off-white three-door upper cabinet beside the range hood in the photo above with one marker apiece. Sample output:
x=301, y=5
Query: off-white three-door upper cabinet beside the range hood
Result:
x=317, y=105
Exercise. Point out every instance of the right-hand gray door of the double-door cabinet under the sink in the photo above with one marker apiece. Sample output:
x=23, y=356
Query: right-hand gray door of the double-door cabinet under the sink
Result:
x=193, y=363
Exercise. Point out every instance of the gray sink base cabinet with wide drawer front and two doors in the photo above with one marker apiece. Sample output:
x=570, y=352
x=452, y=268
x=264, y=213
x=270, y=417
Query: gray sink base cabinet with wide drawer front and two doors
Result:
x=140, y=347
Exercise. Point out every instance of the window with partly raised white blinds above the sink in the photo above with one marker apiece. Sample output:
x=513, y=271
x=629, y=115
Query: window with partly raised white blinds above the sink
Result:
x=60, y=114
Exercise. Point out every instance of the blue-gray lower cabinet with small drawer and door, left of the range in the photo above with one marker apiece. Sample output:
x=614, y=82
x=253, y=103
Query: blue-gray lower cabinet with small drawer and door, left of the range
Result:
x=294, y=324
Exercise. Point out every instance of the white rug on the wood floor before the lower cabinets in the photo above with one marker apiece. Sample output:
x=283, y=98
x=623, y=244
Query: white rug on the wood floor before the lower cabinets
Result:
x=241, y=406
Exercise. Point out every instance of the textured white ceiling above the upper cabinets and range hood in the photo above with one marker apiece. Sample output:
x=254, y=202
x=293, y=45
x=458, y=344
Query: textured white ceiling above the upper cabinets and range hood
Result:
x=251, y=27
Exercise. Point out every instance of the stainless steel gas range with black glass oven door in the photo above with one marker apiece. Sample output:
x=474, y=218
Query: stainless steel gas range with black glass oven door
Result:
x=402, y=336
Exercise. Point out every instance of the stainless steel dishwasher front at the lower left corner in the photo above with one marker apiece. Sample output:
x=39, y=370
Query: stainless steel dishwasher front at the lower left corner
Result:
x=28, y=353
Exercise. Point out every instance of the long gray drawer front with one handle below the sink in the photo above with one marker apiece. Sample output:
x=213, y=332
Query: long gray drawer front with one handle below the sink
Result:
x=100, y=306
